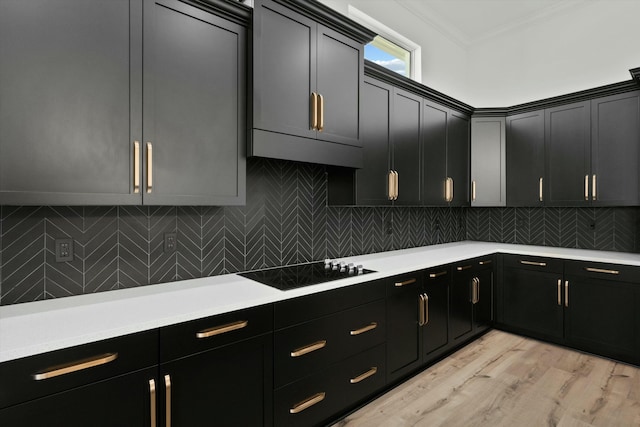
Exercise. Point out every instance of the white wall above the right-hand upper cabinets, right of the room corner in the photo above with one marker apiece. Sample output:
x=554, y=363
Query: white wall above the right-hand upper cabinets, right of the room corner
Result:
x=584, y=47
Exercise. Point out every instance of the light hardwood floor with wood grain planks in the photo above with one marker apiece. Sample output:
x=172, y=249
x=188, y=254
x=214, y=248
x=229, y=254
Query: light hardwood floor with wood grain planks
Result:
x=507, y=380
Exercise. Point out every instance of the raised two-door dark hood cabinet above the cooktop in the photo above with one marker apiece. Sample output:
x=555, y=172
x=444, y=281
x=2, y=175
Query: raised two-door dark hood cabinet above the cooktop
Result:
x=307, y=83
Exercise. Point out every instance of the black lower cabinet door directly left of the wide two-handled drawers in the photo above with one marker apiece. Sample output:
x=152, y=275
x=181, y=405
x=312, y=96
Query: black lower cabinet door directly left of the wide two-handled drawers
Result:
x=228, y=386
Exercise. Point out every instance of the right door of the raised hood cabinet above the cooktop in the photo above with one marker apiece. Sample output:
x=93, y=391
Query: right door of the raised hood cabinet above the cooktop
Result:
x=339, y=82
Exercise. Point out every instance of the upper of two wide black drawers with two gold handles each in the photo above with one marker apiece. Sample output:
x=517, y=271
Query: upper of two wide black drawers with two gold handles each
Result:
x=310, y=346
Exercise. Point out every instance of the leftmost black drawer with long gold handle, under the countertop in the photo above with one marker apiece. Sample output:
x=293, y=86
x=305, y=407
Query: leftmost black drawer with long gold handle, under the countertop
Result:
x=48, y=373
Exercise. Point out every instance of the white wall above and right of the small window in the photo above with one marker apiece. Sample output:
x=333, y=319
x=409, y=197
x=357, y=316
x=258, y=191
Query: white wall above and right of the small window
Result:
x=444, y=63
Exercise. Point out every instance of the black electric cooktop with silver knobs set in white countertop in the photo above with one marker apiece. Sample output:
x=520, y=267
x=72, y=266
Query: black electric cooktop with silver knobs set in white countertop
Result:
x=298, y=276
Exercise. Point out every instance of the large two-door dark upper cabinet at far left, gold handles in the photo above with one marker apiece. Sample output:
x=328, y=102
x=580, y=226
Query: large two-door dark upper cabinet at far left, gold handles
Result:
x=101, y=122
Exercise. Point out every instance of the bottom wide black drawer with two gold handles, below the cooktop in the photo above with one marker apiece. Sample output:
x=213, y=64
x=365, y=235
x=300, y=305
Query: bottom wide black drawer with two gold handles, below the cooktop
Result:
x=313, y=400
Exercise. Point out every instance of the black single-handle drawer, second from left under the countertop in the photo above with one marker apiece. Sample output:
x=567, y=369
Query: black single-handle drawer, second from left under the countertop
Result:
x=203, y=334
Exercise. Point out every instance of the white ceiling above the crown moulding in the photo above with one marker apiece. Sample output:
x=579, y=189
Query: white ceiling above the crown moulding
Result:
x=473, y=21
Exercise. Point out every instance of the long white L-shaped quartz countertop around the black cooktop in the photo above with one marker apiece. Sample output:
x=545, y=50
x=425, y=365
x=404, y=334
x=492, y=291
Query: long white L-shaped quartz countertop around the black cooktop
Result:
x=38, y=327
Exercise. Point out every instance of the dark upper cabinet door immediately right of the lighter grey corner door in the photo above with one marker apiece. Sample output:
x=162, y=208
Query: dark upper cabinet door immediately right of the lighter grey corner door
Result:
x=525, y=159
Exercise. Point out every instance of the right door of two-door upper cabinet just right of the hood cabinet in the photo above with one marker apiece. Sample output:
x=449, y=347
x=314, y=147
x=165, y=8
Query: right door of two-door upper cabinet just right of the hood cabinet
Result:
x=406, y=128
